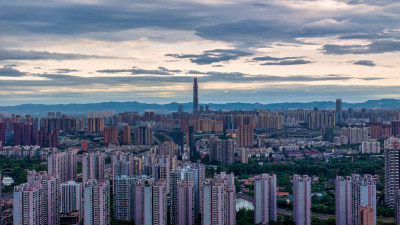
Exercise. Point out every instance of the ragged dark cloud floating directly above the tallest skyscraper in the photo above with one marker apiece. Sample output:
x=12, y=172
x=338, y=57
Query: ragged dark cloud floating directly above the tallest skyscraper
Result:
x=213, y=56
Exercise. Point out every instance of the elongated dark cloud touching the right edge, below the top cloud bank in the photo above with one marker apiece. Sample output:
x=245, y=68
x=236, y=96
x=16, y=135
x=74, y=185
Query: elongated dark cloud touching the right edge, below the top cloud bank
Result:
x=373, y=48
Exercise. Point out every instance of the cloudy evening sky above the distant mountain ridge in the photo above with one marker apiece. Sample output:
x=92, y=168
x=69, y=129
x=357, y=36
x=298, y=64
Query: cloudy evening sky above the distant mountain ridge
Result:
x=271, y=51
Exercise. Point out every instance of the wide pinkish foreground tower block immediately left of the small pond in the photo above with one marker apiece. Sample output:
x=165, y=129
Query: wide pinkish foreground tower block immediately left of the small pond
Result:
x=218, y=200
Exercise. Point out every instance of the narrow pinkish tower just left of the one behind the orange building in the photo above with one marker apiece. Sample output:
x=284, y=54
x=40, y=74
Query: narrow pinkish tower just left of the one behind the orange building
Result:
x=343, y=200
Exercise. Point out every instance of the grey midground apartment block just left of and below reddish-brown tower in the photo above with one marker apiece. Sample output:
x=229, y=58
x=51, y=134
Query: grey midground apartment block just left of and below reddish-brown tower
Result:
x=222, y=151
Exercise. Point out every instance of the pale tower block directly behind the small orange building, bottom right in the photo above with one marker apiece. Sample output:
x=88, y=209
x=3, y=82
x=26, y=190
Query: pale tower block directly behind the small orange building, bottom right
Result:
x=363, y=194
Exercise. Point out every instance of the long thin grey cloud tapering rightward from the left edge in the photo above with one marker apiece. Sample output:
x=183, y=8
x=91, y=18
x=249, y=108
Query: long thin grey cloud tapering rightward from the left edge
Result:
x=42, y=55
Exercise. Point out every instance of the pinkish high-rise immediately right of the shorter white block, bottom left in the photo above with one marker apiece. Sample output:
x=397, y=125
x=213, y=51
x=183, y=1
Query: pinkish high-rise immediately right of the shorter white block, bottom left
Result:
x=96, y=202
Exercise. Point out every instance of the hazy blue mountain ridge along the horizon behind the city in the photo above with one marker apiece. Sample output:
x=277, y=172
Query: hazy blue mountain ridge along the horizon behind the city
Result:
x=117, y=107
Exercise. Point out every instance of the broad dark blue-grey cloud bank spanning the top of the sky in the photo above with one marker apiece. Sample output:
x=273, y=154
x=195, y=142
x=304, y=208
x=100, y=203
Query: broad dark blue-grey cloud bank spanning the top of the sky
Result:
x=210, y=21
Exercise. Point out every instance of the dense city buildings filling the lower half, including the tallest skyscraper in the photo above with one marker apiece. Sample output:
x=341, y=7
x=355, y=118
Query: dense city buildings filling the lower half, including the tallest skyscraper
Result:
x=158, y=182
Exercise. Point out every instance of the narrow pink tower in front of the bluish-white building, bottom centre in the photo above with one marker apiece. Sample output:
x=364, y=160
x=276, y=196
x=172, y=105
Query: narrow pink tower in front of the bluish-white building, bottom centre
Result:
x=185, y=202
